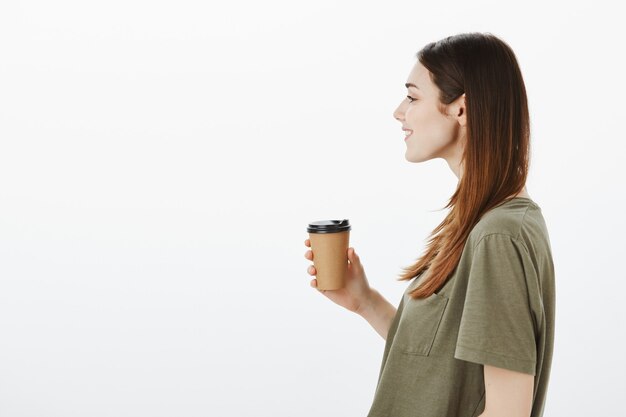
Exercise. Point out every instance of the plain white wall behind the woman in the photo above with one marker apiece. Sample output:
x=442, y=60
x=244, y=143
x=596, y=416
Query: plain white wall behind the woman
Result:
x=159, y=163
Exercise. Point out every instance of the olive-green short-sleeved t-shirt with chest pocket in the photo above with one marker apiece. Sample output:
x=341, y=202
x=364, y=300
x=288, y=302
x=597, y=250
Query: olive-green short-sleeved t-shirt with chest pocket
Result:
x=497, y=308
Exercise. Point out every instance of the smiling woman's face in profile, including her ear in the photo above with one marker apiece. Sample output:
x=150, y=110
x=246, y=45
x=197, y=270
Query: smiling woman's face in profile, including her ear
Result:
x=432, y=134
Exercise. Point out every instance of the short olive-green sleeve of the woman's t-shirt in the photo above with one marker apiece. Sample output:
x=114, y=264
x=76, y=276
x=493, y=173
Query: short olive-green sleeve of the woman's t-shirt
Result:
x=497, y=326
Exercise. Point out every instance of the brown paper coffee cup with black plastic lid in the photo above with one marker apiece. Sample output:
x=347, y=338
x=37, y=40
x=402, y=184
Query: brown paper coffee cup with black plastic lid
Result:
x=330, y=240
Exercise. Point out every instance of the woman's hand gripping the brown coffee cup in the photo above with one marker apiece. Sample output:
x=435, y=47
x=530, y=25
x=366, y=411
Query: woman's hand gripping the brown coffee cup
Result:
x=356, y=293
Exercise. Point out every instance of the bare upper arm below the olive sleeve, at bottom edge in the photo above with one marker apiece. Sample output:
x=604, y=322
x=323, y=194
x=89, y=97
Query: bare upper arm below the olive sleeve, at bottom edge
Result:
x=508, y=393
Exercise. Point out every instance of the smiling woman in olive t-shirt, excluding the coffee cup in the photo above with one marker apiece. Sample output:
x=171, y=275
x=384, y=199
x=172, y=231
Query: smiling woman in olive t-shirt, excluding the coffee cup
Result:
x=473, y=333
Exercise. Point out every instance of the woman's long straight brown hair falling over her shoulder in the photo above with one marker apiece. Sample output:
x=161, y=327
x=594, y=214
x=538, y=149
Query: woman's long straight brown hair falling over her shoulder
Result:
x=496, y=154
